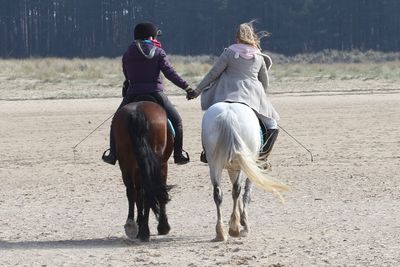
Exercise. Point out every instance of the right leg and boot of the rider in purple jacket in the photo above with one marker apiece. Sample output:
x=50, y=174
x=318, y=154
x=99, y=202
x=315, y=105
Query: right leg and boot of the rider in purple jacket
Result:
x=176, y=121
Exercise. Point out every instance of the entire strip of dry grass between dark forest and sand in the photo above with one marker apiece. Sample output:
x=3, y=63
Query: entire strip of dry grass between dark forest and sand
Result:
x=102, y=77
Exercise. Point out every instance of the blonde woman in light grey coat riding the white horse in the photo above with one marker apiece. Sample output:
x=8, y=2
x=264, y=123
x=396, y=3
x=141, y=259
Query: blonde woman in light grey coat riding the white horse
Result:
x=241, y=75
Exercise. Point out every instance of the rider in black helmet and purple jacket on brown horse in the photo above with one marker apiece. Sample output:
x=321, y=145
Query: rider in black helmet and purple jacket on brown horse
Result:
x=142, y=64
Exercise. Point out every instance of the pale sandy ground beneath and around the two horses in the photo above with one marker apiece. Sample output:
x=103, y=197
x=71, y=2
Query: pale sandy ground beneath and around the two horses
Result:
x=60, y=208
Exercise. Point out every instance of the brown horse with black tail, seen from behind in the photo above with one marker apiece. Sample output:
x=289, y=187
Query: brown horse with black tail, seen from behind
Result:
x=144, y=144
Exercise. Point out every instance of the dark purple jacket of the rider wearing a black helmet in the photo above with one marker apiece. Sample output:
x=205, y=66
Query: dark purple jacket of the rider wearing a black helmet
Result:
x=144, y=72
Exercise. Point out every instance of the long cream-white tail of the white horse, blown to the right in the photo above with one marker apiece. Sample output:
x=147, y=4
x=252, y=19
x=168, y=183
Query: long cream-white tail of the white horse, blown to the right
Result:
x=232, y=149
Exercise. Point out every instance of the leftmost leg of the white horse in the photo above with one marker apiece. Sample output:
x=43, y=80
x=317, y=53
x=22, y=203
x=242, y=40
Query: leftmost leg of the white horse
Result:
x=215, y=178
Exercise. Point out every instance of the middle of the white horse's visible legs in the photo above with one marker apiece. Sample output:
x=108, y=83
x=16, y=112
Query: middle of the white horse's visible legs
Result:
x=234, y=225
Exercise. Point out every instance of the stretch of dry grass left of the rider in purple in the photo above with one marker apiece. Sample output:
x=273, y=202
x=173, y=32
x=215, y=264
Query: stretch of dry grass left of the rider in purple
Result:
x=59, y=78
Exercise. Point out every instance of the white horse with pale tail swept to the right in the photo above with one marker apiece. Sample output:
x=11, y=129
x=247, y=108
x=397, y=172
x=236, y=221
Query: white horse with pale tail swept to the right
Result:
x=231, y=139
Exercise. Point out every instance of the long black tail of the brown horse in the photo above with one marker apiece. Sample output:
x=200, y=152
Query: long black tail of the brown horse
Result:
x=154, y=187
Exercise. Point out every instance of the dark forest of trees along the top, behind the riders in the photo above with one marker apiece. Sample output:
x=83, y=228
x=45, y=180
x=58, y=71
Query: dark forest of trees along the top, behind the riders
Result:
x=92, y=28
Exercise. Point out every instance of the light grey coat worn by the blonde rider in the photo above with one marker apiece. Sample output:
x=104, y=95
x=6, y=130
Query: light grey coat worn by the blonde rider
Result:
x=236, y=79
